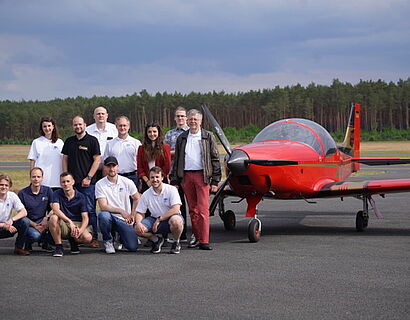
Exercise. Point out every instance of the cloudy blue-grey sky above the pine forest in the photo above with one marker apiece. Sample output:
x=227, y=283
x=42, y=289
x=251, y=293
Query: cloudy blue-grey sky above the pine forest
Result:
x=57, y=49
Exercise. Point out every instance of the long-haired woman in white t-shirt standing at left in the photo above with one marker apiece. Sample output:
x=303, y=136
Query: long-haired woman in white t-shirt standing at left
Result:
x=45, y=152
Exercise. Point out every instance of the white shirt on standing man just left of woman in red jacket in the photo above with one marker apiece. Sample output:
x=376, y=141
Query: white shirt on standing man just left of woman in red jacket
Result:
x=125, y=150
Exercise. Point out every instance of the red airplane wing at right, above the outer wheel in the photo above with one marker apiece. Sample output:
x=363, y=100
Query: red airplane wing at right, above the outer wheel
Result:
x=369, y=187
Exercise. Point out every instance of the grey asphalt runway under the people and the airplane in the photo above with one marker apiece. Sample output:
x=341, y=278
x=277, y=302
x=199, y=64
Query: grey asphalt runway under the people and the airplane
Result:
x=309, y=264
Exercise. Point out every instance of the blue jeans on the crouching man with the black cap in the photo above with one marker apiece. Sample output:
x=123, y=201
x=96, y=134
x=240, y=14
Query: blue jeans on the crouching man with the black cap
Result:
x=108, y=222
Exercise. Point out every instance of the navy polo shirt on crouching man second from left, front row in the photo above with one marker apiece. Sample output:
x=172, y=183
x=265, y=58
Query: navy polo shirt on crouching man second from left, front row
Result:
x=37, y=205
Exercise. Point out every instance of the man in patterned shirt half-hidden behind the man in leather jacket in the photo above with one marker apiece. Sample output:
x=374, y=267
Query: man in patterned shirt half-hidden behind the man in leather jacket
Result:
x=171, y=139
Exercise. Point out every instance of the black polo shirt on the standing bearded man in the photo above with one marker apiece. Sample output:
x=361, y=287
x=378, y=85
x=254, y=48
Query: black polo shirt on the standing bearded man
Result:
x=80, y=155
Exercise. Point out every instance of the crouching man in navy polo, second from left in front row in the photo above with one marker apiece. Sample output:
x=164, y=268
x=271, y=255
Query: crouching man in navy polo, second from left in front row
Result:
x=36, y=198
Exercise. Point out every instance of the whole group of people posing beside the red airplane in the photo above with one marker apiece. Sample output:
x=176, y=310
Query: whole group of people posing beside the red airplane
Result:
x=140, y=188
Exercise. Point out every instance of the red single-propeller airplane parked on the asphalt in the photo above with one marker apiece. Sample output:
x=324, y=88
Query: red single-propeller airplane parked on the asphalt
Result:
x=298, y=159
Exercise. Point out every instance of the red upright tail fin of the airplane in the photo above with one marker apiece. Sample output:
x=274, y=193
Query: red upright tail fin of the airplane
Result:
x=351, y=143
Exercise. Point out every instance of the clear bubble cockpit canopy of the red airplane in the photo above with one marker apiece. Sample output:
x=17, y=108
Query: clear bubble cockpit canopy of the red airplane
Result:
x=300, y=130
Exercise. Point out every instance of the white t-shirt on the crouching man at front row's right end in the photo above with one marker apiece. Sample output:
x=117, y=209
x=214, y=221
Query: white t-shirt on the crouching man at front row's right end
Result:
x=159, y=204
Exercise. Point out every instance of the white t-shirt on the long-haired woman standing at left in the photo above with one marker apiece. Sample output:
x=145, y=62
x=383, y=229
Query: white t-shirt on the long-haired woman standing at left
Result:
x=47, y=156
